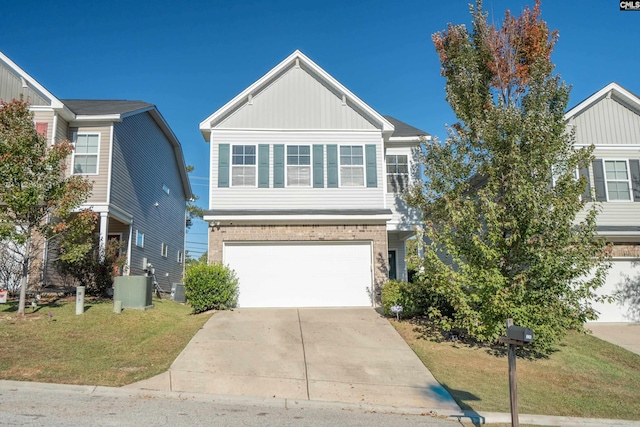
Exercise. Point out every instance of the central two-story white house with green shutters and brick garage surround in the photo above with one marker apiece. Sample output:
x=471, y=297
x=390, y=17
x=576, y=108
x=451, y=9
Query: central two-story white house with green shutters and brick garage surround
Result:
x=305, y=189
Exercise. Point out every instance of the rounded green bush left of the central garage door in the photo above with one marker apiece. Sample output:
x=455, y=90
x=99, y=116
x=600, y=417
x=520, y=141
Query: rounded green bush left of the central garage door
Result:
x=211, y=287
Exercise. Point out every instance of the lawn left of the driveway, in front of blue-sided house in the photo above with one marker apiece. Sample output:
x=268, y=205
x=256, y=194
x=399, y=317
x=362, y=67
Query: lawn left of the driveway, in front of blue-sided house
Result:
x=53, y=344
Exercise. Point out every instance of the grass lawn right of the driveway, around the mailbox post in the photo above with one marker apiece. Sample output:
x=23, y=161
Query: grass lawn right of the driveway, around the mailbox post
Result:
x=584, y=377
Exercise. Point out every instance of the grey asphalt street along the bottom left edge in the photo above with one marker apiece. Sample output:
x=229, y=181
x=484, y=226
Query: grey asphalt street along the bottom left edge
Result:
x=36, y=404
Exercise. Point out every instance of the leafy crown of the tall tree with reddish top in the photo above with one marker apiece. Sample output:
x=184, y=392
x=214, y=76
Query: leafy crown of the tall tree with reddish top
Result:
x=501, y=194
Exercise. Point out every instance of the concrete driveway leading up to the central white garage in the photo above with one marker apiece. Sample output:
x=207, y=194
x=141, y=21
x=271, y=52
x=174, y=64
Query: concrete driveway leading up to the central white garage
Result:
x=337, y=355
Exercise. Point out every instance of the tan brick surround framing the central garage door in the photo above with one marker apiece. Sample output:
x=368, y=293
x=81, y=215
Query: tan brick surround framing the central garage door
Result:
x=376, y=233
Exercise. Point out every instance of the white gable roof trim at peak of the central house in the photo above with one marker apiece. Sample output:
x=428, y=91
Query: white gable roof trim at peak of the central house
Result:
x=296, y=58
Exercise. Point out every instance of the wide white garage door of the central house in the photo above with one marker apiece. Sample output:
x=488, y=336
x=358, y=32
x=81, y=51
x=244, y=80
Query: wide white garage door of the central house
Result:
x=301, y=274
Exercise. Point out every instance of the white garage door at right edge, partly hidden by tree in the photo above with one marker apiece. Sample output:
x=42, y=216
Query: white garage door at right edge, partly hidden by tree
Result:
x=623, y=276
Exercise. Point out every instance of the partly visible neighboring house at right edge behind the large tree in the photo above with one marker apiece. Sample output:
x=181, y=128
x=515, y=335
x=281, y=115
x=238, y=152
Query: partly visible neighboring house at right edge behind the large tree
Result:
x=610, y=120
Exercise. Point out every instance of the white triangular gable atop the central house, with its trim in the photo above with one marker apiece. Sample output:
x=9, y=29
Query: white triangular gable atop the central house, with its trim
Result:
x=296, y=94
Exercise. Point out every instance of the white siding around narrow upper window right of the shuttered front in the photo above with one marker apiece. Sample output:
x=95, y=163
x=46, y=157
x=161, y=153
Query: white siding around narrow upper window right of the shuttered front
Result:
x=402, y=216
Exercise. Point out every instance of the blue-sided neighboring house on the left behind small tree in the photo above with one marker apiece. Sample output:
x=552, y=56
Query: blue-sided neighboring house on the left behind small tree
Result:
x=135, y=162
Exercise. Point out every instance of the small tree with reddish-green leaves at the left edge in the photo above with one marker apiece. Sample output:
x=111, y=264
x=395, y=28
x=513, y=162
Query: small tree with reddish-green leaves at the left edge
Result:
x=36, y=199
